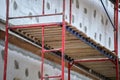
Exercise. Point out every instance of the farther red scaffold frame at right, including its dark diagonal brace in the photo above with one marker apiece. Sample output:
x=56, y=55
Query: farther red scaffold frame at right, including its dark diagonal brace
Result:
x=115, y=28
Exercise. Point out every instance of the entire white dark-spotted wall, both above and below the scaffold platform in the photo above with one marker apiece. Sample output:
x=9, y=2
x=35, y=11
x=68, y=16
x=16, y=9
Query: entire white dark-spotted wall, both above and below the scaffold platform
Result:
x=87, y=15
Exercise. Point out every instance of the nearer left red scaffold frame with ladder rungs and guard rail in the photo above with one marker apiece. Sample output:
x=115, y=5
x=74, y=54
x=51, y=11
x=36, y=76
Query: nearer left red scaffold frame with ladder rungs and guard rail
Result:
x=43, y=25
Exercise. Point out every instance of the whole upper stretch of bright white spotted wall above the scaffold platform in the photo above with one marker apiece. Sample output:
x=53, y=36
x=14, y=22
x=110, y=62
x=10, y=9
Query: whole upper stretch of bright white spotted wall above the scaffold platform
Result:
x=97, y=26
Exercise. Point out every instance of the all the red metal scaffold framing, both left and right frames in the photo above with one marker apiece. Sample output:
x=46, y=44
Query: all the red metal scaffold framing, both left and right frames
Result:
x=62, y=49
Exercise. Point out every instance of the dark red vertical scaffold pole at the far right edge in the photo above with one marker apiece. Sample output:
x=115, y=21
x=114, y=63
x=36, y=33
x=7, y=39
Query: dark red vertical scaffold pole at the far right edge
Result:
x=116, y=37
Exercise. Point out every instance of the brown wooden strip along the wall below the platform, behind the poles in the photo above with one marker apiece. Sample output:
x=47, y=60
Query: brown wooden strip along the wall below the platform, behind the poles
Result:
x=29, y=47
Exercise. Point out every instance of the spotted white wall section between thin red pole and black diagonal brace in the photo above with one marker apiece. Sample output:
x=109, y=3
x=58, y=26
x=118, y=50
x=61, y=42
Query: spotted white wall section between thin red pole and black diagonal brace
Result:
x=94, y=25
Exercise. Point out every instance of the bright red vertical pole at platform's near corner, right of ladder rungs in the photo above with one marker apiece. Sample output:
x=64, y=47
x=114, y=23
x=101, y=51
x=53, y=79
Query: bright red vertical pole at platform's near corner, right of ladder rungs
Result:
x=63, y=41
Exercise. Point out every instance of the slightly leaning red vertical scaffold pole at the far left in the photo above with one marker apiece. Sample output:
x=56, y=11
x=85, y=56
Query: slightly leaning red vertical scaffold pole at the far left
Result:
x=6, y=41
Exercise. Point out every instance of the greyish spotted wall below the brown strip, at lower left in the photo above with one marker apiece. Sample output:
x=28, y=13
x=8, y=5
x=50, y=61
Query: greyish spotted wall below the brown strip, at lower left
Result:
x=32, y=64
